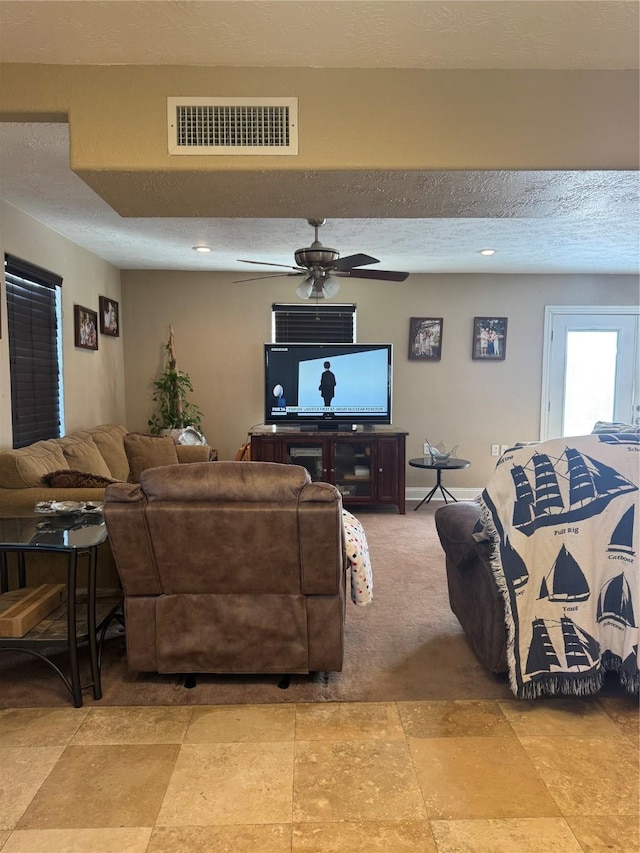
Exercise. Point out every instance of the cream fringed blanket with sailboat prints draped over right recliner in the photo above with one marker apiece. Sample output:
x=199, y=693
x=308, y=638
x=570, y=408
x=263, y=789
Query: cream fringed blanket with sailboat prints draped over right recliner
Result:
x=563, y=519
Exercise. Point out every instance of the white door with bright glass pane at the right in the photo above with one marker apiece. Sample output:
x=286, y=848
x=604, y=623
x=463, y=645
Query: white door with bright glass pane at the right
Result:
x=591, y=368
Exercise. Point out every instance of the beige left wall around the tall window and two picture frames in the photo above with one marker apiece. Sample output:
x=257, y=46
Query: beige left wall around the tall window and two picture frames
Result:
x=93, y=381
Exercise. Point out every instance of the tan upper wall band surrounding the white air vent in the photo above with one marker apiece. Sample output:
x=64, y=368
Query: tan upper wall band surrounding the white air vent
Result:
x=486, y=119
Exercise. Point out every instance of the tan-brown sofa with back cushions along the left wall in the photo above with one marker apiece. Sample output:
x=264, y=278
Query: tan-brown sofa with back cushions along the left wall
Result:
x=100, y=454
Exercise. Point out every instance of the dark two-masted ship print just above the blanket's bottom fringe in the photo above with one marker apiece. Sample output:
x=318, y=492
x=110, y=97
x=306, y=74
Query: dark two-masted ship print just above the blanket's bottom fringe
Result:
x=580, y=649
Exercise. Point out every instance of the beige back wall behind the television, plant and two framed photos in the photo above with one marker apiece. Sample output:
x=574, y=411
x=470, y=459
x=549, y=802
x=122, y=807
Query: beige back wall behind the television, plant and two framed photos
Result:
x=220, y=328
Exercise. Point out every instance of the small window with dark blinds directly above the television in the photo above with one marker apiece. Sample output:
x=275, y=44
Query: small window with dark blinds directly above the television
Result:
x=316, y=324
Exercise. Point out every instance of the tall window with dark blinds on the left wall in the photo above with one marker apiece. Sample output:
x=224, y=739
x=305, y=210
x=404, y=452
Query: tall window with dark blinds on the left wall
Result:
x=33, y=317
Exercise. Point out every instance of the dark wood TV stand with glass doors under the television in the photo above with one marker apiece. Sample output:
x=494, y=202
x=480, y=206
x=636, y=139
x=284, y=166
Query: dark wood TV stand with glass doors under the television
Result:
x=367, y=464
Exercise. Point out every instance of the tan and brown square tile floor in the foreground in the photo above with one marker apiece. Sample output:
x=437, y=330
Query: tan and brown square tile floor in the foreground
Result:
x=400, y=777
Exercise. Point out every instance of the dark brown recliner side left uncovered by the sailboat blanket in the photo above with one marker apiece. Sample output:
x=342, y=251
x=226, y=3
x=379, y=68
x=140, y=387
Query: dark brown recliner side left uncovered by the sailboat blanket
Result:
x=473, y=594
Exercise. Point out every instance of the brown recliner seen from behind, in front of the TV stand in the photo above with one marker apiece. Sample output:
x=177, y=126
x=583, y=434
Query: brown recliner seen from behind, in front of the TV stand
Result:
x=230, y=567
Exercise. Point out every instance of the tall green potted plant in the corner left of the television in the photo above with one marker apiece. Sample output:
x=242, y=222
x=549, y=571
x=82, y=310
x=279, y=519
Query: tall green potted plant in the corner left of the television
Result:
x=170, y=394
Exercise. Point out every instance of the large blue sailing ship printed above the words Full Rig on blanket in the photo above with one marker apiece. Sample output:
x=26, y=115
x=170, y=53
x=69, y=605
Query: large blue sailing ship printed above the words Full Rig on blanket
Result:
x=572, y=488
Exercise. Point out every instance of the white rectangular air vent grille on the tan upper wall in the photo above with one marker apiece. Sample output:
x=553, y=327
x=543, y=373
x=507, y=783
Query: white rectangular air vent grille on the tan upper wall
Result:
x=233, y=126
